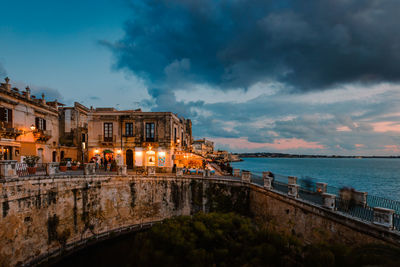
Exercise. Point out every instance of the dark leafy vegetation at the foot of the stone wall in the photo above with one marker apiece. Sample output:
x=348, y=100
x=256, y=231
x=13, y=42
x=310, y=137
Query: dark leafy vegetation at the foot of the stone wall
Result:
x=227, y=239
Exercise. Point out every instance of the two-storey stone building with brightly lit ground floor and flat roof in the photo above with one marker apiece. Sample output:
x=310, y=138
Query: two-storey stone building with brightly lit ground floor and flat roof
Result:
x=138, y=139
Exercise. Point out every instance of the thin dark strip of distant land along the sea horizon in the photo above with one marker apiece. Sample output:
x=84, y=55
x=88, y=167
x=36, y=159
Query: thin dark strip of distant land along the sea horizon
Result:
x=279, y=155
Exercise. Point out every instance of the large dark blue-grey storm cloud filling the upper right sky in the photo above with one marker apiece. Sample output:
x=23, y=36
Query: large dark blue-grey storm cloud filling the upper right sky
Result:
x=305, y=44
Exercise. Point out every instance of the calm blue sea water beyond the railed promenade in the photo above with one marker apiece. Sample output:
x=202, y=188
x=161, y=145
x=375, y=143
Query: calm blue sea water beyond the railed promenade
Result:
x=379, y=177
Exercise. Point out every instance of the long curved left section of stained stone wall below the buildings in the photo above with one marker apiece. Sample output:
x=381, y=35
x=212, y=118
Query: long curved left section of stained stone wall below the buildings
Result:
x=40, y=216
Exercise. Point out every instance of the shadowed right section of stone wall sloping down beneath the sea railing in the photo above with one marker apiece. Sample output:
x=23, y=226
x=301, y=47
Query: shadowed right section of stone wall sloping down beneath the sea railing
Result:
x=313, y=224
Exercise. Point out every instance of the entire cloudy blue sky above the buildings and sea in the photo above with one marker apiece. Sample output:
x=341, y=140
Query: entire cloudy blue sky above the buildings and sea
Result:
x=309, y=77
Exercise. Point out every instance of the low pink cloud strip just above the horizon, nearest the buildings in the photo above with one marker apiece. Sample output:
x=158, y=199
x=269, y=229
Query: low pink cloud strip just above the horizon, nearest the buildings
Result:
x=280, y=144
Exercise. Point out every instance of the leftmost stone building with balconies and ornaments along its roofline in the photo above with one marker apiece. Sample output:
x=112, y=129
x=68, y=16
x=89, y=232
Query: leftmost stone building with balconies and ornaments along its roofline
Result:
x=28, y=125
